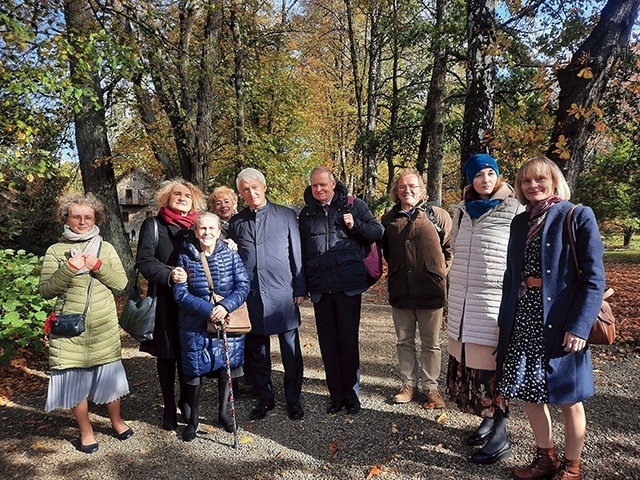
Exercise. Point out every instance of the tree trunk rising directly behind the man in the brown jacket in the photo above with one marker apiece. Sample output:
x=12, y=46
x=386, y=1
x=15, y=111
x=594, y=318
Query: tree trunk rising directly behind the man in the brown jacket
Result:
x=432, y=135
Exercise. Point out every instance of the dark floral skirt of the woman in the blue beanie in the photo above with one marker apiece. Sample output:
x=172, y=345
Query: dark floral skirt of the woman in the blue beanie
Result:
x=474, y=390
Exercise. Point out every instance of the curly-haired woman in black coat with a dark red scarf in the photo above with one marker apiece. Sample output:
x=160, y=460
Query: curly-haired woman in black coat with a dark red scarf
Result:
x=161, y=240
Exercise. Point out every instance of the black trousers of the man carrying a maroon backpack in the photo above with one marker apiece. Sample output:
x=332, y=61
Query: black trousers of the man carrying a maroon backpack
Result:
x=338, y=322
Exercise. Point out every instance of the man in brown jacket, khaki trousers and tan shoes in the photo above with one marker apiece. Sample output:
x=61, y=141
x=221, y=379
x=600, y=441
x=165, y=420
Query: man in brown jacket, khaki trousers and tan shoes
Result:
x=416, y=248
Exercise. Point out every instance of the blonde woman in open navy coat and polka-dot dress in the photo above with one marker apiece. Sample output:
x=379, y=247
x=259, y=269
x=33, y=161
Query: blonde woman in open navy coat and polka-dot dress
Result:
x=546, y=315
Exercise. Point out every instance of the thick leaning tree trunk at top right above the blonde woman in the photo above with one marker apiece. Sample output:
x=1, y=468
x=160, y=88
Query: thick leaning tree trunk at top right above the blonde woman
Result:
x=583, y=82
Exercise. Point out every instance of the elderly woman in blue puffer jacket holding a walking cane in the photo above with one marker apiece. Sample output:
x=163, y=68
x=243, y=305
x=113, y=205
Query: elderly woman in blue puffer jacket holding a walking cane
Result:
x=203, y=352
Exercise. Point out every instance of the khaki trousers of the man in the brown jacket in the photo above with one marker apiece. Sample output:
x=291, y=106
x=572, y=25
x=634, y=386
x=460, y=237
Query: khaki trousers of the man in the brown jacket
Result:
x=429, y=322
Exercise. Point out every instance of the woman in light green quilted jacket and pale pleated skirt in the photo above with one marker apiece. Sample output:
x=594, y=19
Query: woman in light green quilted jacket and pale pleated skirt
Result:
x=87, y=365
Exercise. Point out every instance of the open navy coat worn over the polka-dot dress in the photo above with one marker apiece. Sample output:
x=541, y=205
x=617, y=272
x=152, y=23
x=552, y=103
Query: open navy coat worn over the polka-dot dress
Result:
x=569, y=305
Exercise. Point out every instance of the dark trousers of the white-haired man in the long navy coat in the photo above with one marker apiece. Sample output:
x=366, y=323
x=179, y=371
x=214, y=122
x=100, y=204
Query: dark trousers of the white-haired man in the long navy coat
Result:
x=257, y=350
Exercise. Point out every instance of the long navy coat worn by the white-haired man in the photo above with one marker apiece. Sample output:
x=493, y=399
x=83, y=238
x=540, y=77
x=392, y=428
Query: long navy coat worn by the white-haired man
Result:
x=269, y=245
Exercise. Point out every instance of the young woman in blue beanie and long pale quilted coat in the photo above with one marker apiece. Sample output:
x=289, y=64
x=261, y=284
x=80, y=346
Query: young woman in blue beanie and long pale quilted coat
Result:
x=480, y=236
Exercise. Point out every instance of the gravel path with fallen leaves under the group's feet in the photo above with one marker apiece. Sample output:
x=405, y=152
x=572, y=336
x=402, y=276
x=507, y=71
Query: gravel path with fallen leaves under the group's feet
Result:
x=403, y=441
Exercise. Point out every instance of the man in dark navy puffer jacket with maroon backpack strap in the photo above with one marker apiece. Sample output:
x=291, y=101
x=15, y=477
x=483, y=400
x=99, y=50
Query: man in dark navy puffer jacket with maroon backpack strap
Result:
x=334, y=233
